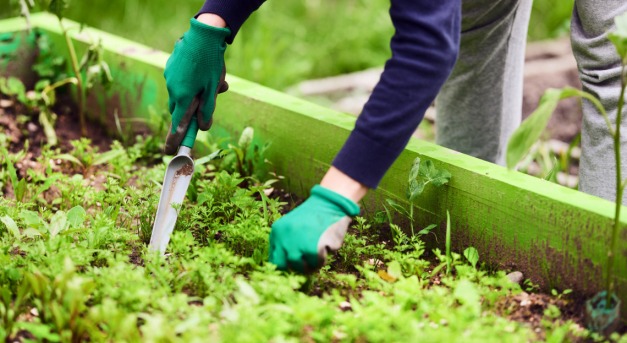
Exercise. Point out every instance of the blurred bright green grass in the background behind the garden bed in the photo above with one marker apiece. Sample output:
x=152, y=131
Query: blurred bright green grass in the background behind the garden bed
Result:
x=285, y=42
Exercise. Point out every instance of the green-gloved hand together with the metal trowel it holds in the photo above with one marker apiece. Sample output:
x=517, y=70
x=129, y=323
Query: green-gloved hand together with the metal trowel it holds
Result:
x=194, y=76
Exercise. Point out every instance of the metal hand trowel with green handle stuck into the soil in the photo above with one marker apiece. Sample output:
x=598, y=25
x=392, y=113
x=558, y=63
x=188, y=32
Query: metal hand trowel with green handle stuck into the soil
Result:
x=177, y=178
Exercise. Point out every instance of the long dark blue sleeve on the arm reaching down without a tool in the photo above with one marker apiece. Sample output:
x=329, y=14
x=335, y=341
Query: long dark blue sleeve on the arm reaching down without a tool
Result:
x=424, y=49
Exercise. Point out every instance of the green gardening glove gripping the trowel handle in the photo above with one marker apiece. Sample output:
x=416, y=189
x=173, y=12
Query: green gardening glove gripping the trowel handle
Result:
x=195, y=69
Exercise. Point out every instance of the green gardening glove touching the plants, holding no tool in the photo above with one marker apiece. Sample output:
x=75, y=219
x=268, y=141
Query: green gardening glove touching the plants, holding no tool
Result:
x=301, y=239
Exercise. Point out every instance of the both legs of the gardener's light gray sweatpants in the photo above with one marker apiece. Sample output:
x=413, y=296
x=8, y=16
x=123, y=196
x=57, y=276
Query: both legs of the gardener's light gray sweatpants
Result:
x=480, y=105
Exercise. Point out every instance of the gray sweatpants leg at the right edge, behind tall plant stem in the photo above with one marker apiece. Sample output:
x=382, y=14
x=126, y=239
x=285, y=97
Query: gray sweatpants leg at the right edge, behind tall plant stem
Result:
x=599, y=70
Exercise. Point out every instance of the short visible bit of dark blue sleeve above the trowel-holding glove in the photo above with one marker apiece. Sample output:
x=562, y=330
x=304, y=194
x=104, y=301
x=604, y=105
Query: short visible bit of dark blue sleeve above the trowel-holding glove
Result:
x=234, y=12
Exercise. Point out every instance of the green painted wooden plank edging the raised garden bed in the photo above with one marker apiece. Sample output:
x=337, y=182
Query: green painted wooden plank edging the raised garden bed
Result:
x=557, y=236
